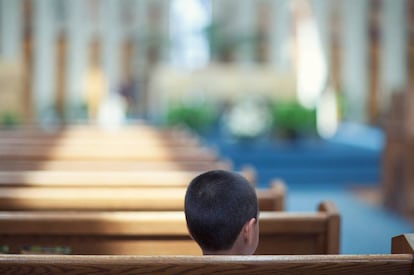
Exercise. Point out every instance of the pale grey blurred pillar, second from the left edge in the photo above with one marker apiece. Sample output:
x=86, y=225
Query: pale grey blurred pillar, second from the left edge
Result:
x=44, y=85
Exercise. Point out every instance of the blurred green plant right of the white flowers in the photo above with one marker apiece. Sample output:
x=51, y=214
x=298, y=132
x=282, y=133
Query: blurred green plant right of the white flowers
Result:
x=290, y=119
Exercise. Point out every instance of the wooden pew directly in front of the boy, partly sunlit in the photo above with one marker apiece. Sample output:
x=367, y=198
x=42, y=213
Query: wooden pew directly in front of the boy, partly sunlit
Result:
x=159, y=233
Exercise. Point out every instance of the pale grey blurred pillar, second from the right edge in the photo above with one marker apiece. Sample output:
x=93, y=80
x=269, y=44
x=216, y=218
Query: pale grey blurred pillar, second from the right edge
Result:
x=354, y=59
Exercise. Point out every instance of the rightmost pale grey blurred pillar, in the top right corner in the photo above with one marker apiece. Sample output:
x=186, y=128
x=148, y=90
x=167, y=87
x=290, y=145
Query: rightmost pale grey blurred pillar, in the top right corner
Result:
x=393, y=70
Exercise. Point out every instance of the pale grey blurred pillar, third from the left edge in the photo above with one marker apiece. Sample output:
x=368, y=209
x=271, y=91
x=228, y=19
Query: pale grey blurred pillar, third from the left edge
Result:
x=76, y=59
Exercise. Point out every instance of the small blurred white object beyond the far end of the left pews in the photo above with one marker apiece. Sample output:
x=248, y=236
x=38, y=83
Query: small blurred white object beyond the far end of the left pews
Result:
x=112, y=112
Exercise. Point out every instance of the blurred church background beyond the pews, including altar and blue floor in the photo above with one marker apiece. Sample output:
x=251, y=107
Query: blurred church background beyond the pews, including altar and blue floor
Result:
x=347, y=66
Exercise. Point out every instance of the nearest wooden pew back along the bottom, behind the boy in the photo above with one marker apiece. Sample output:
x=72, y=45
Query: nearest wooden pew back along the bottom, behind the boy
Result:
x=400, y=262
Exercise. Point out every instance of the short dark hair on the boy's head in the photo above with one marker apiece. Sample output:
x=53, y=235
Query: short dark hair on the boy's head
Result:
x=217, y=205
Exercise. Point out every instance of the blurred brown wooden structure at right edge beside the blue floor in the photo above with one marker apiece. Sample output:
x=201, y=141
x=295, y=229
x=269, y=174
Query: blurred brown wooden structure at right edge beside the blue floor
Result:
x=398, y=154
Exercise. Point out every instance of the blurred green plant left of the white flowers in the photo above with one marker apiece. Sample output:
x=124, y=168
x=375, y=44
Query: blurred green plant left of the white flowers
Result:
x=194, y=116
